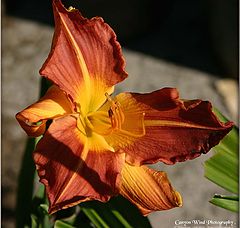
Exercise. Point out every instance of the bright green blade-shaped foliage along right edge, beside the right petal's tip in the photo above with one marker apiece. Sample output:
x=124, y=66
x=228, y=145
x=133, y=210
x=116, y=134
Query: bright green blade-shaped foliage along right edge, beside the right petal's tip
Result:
x=222, y=168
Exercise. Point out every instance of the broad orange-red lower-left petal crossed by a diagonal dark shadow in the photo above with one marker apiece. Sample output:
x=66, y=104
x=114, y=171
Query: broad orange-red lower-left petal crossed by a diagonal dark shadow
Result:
x=70, y=170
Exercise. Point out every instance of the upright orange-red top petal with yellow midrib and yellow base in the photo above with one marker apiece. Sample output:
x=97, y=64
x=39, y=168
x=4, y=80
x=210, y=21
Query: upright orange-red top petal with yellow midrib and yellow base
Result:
x=86, y=59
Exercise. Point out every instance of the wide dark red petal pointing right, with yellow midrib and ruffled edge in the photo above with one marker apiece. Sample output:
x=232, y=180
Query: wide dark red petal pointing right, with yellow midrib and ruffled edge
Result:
x=175, y=130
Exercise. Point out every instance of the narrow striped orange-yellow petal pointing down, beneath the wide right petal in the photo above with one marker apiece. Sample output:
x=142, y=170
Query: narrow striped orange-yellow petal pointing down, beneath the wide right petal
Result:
x=148, y=189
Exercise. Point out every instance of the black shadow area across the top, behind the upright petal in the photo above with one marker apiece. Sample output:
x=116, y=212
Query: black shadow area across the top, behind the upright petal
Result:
x=199, y=34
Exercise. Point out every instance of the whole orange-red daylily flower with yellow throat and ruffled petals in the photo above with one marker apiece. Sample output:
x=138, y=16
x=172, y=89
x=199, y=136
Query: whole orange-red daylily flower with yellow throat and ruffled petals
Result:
x=97, y=145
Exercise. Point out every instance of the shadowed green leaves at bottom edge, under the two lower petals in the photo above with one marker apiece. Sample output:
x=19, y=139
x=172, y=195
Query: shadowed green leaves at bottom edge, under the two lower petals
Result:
x=118, y=212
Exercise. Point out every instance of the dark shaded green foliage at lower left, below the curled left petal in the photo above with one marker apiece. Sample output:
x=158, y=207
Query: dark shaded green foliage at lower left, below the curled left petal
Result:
x=27, y=204
